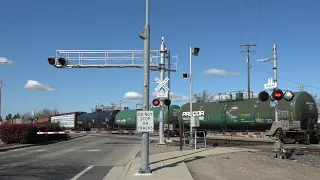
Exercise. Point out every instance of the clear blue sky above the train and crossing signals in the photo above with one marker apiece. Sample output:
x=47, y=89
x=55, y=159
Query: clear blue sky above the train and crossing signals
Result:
x=31, y=31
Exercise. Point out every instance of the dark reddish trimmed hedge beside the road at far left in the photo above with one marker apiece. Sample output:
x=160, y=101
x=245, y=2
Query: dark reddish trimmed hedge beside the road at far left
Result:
x=27, y=133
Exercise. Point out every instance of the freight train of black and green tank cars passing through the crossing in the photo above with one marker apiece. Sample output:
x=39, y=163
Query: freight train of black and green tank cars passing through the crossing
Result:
x=226, y=115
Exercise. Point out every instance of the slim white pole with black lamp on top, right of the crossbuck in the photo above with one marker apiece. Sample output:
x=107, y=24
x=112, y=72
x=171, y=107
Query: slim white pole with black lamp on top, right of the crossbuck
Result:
x=194, y=51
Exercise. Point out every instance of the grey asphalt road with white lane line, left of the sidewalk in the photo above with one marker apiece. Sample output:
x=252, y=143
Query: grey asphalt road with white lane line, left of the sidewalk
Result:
x=89, y=157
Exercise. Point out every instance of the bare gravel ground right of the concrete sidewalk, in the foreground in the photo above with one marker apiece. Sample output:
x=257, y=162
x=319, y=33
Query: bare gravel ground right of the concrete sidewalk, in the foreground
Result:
x=250, y=166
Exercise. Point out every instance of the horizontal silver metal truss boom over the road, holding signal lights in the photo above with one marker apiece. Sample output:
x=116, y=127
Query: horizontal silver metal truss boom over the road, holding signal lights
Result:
x=112, y=59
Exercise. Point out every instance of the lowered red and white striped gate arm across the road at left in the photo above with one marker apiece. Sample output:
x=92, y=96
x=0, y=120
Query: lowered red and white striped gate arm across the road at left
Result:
x=90, y=132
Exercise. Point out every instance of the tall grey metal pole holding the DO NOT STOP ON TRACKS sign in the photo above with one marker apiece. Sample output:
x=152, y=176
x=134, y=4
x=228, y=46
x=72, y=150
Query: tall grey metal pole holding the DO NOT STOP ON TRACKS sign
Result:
x=145, y=98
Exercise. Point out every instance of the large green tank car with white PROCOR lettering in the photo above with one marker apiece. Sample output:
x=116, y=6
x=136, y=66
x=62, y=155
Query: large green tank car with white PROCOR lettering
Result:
x=238, y=114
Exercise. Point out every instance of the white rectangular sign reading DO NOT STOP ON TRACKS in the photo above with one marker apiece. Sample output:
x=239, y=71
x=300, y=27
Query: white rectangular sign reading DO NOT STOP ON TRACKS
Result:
x=145, y=121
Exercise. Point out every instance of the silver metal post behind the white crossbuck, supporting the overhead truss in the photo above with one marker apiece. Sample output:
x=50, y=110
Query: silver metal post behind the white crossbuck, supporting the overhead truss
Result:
x=162, y=69
